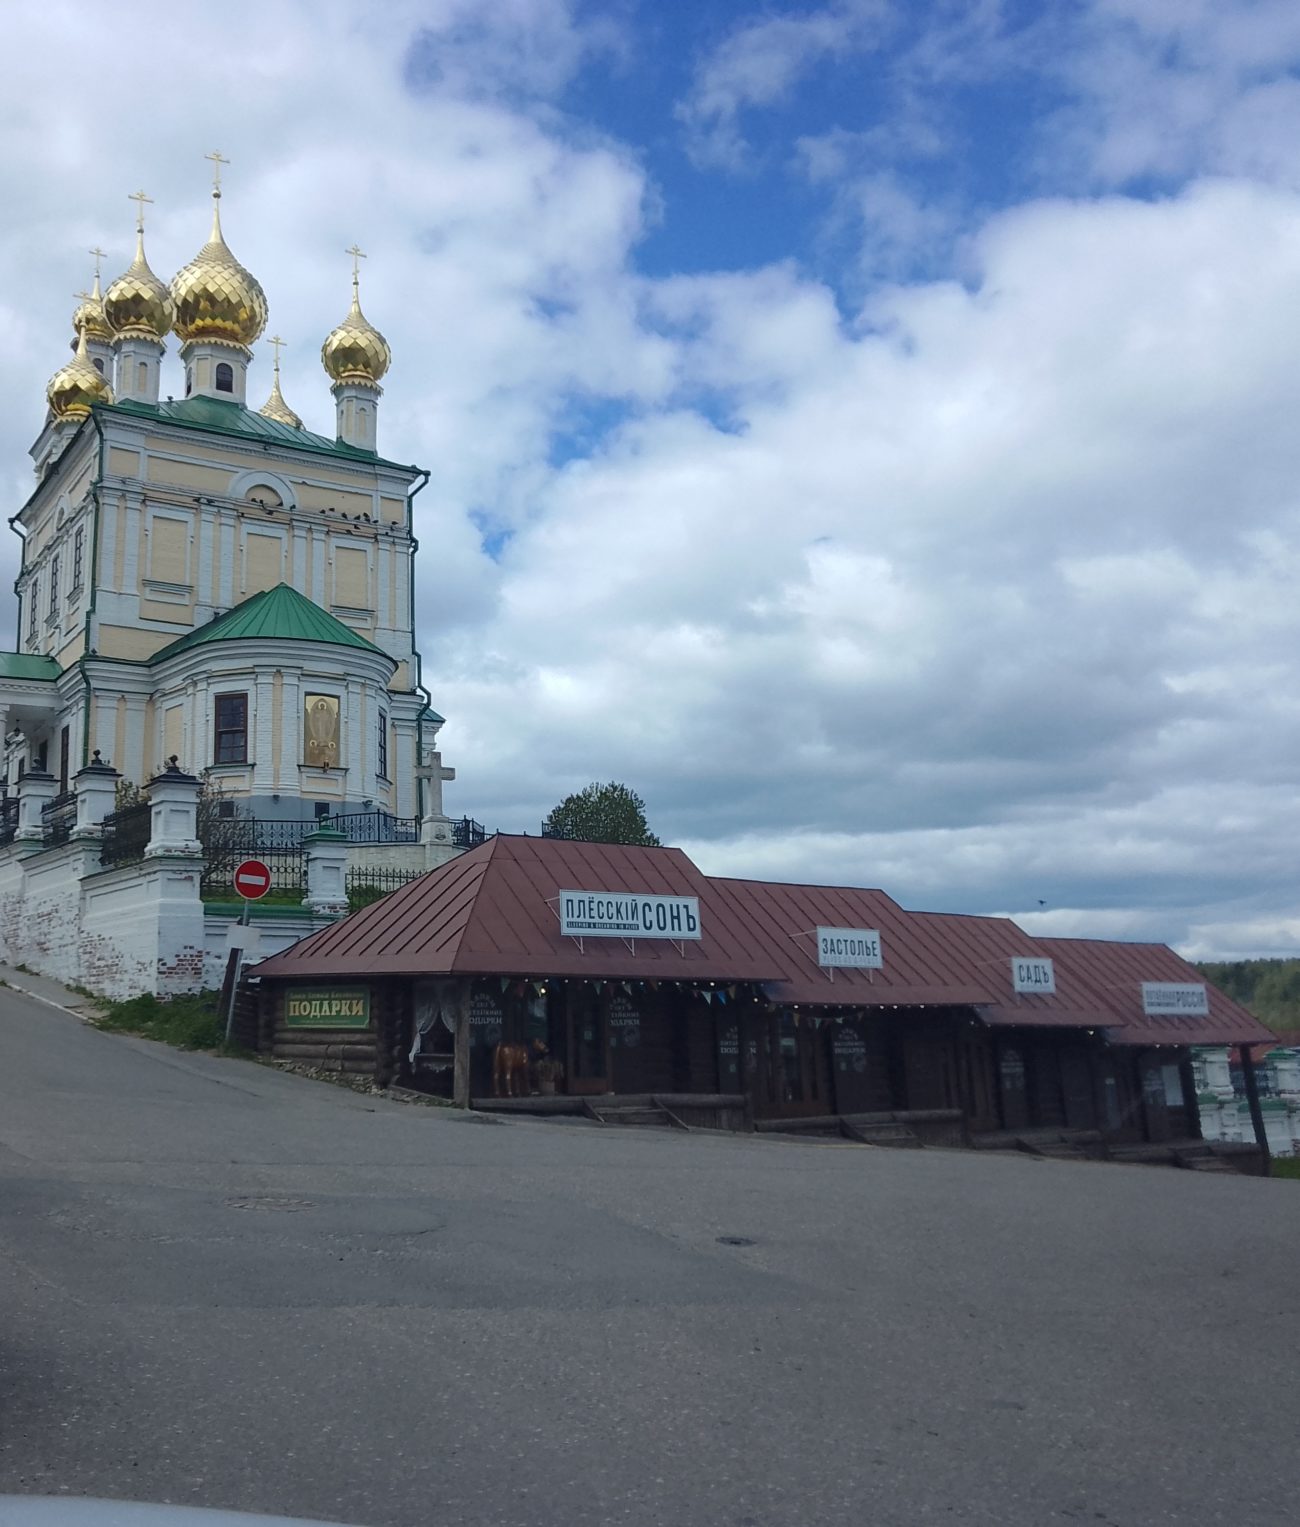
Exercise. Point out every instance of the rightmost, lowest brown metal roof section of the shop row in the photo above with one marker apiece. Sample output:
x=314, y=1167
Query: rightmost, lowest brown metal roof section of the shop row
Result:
x=1116, y=973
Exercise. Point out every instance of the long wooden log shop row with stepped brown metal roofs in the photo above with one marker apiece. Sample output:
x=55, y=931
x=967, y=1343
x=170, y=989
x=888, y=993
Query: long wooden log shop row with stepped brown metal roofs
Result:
x=626, y=983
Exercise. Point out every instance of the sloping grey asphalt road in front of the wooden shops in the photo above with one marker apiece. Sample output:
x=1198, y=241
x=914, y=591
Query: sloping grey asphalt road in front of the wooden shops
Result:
x=228, y=1286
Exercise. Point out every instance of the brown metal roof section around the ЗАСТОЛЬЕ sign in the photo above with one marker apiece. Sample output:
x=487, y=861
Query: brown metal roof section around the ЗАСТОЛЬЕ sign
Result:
x=920, y=967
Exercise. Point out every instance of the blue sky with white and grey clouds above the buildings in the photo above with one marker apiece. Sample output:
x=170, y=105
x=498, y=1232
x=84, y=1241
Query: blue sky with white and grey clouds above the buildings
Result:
x=867, y=430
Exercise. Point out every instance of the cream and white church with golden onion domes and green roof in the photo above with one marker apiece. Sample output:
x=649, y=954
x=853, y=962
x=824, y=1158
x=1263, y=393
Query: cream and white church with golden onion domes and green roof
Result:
x=207, y=581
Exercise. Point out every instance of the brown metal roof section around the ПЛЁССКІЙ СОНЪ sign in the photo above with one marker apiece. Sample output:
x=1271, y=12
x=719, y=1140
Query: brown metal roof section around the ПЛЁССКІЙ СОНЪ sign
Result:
x=494, y=912
